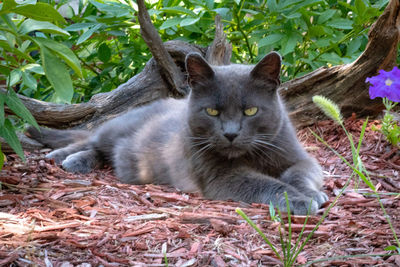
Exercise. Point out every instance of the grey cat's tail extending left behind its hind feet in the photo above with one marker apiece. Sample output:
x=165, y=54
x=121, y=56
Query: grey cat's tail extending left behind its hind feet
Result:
x=56, y=138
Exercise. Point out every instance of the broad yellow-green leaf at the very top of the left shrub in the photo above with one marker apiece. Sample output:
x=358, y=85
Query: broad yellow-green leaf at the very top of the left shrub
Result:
x=40, y=11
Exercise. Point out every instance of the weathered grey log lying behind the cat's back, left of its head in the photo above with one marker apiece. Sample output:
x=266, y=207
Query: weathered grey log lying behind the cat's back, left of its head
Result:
x=144, y=87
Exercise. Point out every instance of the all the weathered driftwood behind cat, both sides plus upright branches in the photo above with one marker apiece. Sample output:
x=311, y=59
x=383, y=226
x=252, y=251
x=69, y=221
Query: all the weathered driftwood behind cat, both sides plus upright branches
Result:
x=344, y=84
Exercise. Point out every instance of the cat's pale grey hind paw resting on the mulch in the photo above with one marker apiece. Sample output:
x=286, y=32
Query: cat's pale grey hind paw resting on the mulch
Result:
x=82, y=161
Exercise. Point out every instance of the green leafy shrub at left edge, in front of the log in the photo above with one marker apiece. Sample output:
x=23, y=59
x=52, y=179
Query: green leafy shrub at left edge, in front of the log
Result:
x=30, y=53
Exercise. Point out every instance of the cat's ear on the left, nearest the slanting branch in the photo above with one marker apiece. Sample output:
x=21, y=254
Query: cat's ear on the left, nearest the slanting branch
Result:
x=198, y=69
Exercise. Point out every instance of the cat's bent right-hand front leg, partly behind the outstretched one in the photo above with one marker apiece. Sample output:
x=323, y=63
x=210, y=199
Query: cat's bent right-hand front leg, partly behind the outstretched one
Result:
x=307, y=177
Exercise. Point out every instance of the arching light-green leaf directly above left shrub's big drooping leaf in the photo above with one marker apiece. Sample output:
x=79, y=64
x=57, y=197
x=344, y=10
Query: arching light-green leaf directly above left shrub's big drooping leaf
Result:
x=64, y=52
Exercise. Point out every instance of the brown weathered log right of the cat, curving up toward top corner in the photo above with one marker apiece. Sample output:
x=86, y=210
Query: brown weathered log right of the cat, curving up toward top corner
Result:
x=346, y=84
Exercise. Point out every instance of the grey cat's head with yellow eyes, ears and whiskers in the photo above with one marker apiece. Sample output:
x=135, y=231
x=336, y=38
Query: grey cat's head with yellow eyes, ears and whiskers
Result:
x=235, y=109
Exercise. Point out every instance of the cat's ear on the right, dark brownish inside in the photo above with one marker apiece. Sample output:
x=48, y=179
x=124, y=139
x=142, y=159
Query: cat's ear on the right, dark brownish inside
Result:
x=268, y=68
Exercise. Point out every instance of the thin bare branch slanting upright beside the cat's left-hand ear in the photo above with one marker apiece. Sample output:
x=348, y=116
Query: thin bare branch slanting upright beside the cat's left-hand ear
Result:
x=168, y=69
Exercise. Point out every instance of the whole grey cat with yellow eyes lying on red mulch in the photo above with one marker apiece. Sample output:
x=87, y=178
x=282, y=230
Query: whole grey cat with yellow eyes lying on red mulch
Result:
x=231, y=138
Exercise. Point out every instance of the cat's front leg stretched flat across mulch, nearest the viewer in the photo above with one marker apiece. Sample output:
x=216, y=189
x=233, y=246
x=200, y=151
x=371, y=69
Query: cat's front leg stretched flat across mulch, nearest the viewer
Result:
x=249, y=186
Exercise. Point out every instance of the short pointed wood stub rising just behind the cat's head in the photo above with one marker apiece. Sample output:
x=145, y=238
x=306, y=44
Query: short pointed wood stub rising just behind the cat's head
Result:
x=220, y=51
